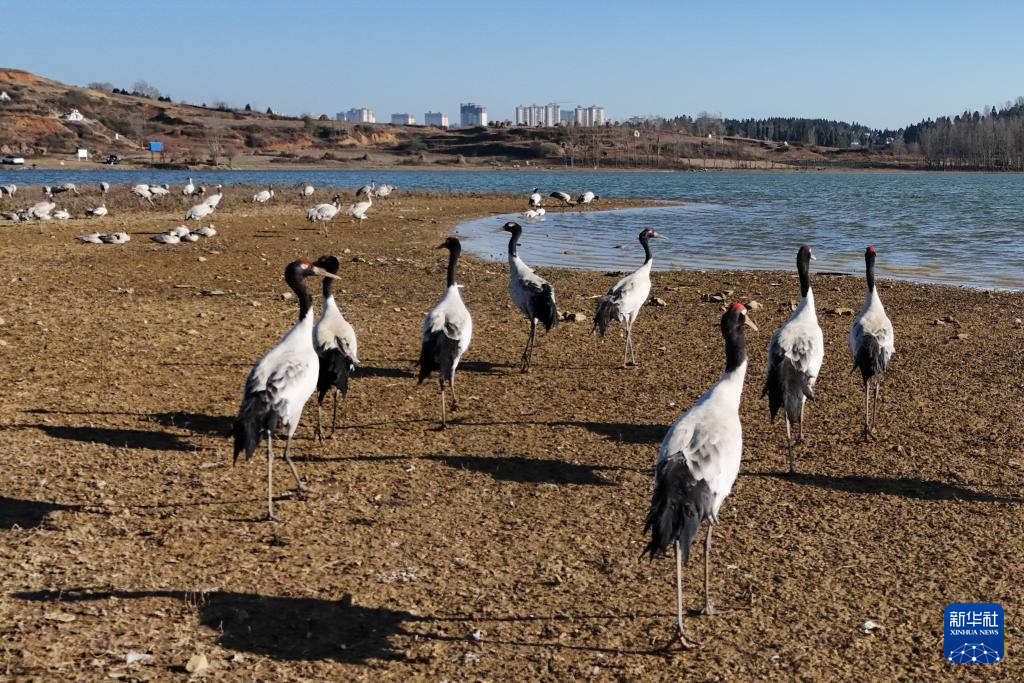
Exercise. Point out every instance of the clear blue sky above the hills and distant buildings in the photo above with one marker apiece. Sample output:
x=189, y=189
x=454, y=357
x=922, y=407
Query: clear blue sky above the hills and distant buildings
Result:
x=880, y=64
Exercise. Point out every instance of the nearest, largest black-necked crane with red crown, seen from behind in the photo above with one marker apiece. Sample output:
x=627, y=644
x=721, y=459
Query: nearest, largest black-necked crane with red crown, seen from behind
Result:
x=698, y=464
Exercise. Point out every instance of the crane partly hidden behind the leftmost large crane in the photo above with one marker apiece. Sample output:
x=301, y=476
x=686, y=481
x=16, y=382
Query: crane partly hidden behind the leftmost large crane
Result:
x=336, y=346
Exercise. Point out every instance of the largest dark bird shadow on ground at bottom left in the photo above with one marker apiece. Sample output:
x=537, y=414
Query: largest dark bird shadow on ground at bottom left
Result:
x=278, y=627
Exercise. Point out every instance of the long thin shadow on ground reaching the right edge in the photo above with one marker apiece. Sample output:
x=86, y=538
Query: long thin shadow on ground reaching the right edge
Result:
x=924, y=490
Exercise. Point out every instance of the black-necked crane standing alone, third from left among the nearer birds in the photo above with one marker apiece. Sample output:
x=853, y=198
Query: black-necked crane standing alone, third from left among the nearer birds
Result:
x=448, y=329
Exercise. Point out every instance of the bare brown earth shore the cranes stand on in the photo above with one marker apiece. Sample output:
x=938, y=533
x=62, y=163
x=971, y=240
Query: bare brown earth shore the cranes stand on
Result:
x=124, y=528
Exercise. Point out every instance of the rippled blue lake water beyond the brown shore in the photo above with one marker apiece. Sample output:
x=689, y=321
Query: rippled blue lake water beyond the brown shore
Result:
x=957, y=229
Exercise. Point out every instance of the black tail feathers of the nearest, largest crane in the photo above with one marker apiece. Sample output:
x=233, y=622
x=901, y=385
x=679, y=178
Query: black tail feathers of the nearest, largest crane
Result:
x=678, y=506
